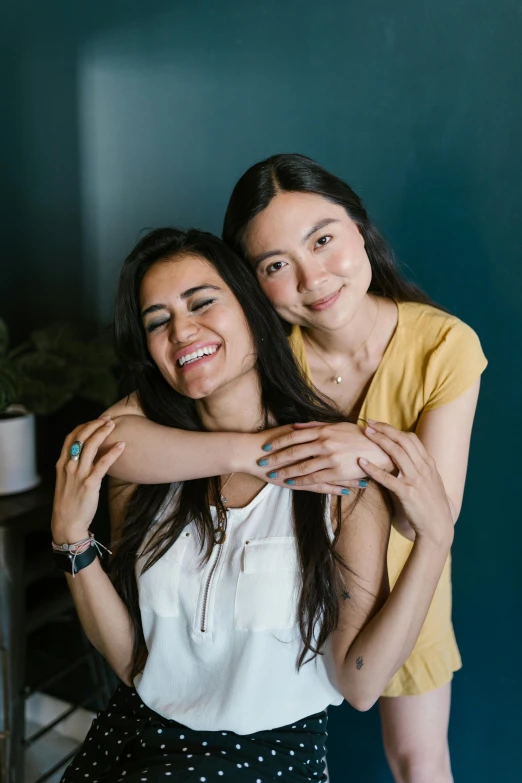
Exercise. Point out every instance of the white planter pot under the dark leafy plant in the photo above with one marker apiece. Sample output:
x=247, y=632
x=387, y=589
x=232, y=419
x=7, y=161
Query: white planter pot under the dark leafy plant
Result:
x=18, y=452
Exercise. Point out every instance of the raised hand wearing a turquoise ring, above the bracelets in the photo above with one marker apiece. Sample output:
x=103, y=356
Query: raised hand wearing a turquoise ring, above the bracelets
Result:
x=78, y=482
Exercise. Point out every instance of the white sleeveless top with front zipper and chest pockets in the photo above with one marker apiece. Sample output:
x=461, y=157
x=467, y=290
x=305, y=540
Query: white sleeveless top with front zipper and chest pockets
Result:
x=222, y=636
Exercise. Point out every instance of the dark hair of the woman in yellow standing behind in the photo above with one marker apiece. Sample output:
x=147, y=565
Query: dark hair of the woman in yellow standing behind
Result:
x=296, y=173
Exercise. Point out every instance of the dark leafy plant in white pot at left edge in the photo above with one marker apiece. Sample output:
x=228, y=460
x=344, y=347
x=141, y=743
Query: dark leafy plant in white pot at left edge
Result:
x=39, y=377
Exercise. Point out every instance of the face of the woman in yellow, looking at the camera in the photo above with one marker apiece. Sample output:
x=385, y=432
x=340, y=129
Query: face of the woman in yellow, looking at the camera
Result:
x=310, y=260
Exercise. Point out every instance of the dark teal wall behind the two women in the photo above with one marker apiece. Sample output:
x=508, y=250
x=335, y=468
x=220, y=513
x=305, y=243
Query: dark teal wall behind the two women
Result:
x=123, y=115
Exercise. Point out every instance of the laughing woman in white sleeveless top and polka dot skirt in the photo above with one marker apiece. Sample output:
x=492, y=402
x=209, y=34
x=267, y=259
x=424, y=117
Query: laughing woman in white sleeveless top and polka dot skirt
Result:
x=237, y=611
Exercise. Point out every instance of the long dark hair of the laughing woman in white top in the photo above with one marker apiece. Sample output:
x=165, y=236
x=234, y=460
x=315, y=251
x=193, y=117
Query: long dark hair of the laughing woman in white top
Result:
x=286, y=397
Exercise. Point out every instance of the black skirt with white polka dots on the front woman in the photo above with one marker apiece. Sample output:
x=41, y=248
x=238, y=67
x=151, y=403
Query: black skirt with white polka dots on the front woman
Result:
x=130, y=743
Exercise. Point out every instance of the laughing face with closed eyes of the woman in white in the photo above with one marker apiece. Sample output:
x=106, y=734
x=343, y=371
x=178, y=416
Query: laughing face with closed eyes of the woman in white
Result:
x=197, y=333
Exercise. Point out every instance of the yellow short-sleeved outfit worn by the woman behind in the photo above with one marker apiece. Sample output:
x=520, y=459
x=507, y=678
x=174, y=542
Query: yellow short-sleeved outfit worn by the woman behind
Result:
x=432, y=358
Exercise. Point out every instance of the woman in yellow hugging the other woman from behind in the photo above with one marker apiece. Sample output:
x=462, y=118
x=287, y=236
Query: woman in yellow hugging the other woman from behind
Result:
x=375, y=345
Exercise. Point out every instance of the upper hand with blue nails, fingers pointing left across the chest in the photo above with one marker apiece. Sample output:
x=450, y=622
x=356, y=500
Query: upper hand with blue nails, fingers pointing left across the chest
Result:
x=319, y=454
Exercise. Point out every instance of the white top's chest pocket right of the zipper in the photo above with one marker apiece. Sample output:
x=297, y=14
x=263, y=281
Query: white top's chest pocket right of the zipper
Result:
x=268, y=585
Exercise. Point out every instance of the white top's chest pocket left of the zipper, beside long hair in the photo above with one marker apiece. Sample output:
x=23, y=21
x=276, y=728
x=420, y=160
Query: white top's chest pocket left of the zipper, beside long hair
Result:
x=158, y=587
